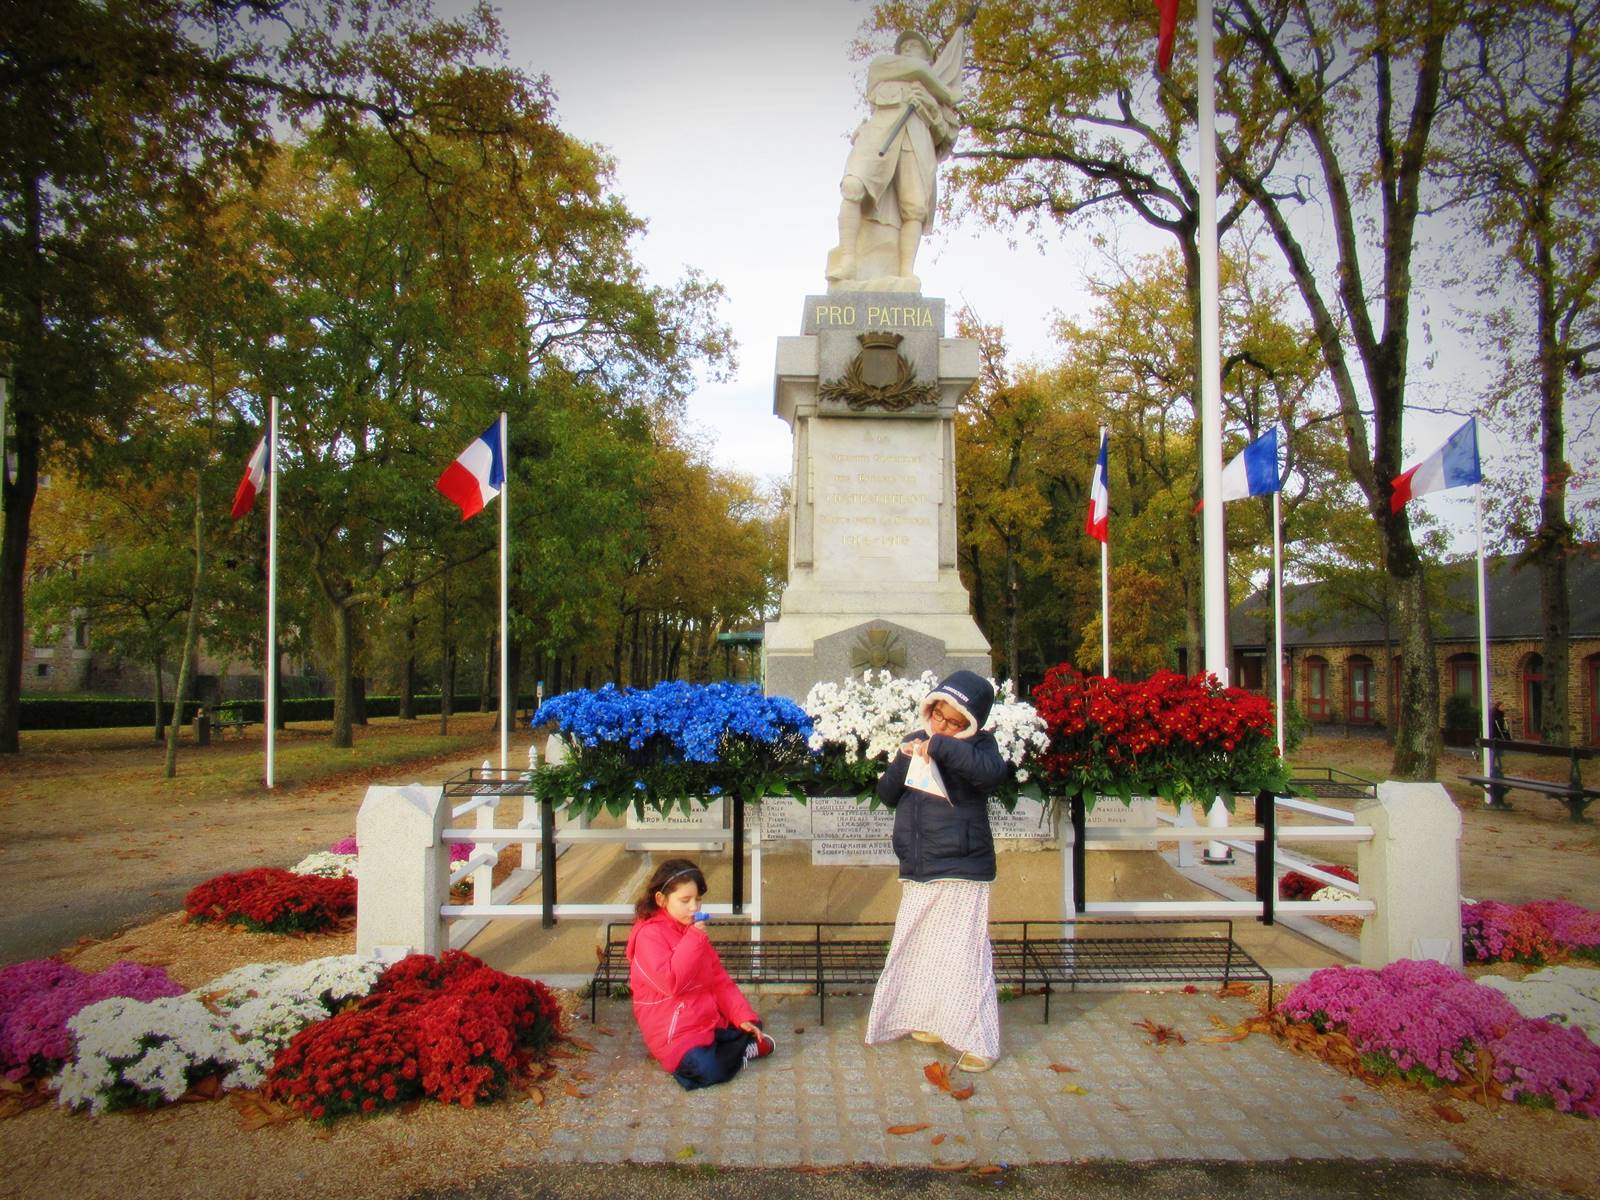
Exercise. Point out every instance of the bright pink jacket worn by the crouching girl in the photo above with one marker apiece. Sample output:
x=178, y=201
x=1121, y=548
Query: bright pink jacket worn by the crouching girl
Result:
x=682, y=994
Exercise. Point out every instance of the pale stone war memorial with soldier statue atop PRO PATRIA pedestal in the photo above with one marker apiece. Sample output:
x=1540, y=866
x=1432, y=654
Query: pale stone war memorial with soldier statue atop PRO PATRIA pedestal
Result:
x=870, y=390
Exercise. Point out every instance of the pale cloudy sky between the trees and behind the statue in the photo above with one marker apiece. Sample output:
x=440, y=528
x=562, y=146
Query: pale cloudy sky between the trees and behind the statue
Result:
x=729, y=124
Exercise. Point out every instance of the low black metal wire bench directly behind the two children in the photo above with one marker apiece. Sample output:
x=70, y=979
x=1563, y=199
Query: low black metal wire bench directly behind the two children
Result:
x=1031, y=958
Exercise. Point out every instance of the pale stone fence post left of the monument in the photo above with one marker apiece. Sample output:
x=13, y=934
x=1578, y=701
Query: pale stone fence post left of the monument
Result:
x=404, y=873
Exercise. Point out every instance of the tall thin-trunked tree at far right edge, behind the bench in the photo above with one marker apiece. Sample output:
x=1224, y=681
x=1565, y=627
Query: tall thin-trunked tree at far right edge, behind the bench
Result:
x=1524, y=159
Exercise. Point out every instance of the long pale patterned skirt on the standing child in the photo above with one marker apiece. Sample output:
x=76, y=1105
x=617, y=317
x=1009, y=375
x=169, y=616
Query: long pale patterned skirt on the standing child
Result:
x=940, y=974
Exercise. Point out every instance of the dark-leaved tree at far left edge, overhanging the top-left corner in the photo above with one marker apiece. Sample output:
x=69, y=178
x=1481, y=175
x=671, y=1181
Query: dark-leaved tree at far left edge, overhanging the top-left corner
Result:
x=116, y=111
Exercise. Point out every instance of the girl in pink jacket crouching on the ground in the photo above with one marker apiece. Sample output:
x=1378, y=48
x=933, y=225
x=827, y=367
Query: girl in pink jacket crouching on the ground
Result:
x=695, y=1020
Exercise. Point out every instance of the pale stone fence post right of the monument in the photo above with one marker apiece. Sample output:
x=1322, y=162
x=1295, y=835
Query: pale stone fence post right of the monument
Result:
x=1412, y=871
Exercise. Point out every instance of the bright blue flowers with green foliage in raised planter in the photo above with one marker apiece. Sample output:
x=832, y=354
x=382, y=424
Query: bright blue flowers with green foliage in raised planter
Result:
x=676, y=745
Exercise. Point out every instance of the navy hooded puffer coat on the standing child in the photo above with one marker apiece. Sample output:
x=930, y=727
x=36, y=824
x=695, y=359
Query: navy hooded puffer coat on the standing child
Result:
x=938, y=838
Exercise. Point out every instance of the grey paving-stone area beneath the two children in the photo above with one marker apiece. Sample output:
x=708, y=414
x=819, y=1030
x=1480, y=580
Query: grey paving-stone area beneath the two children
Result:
x=826, y=1100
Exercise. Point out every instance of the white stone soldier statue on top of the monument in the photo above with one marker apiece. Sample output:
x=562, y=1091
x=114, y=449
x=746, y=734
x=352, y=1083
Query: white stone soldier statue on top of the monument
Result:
x=889, y=191
